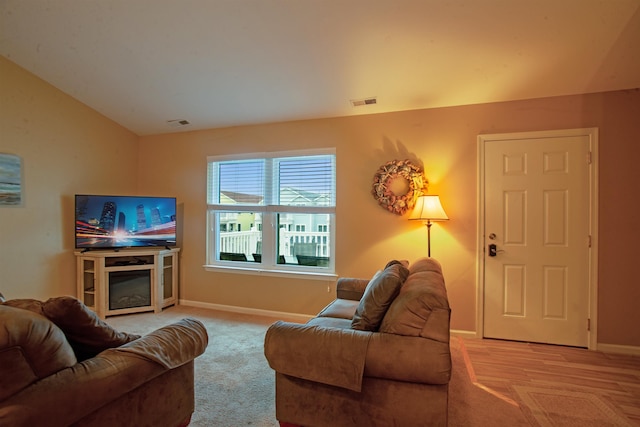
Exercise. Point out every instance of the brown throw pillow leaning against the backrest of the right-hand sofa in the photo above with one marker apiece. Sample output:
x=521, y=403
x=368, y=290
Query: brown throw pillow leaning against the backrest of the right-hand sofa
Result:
x=379, y=294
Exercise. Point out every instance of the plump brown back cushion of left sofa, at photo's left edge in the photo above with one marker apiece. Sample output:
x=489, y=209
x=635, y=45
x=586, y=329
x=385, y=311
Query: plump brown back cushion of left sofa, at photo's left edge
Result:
x=31, y=348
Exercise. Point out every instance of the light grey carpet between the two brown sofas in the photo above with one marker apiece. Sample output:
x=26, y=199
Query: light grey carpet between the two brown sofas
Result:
x=234, y=384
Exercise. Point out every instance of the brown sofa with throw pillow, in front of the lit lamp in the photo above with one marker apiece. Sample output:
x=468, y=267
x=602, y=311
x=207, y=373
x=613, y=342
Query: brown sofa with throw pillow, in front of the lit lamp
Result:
x=378, y=355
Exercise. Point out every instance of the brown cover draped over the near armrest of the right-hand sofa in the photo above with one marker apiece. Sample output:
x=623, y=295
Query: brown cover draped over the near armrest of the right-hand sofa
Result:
x=321, y=354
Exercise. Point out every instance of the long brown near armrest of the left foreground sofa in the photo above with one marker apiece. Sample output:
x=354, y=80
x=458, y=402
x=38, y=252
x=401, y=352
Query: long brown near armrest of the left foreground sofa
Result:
x=72, y=393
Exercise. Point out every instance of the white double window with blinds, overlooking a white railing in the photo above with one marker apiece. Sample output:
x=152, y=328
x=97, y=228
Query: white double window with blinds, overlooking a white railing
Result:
x=273, y=211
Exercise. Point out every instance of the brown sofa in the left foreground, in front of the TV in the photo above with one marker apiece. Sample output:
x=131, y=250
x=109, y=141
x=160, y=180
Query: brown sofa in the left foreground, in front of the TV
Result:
x=60, y=365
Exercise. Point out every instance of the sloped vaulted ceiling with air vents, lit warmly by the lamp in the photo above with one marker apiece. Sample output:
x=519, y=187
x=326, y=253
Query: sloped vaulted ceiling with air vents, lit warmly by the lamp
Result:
x=218, y=63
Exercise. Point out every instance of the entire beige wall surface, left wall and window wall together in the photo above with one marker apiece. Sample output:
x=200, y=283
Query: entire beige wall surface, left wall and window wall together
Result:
x=52, y=133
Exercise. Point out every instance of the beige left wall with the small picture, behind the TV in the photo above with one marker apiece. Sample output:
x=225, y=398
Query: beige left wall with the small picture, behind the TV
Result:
x=66, y=148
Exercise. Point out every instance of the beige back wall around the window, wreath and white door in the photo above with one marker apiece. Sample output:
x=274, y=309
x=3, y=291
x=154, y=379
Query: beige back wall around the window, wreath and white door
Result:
x=445, y=141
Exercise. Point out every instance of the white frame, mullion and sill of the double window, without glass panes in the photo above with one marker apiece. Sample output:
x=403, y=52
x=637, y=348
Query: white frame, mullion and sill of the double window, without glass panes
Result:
x=268, y=266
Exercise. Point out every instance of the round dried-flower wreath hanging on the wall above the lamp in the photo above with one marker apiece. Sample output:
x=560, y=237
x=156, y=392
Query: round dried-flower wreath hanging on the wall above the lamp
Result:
x=383, y=180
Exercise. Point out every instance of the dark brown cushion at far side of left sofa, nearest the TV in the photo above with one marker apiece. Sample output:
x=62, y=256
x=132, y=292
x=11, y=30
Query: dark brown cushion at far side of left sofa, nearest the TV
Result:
x=85, y=331
